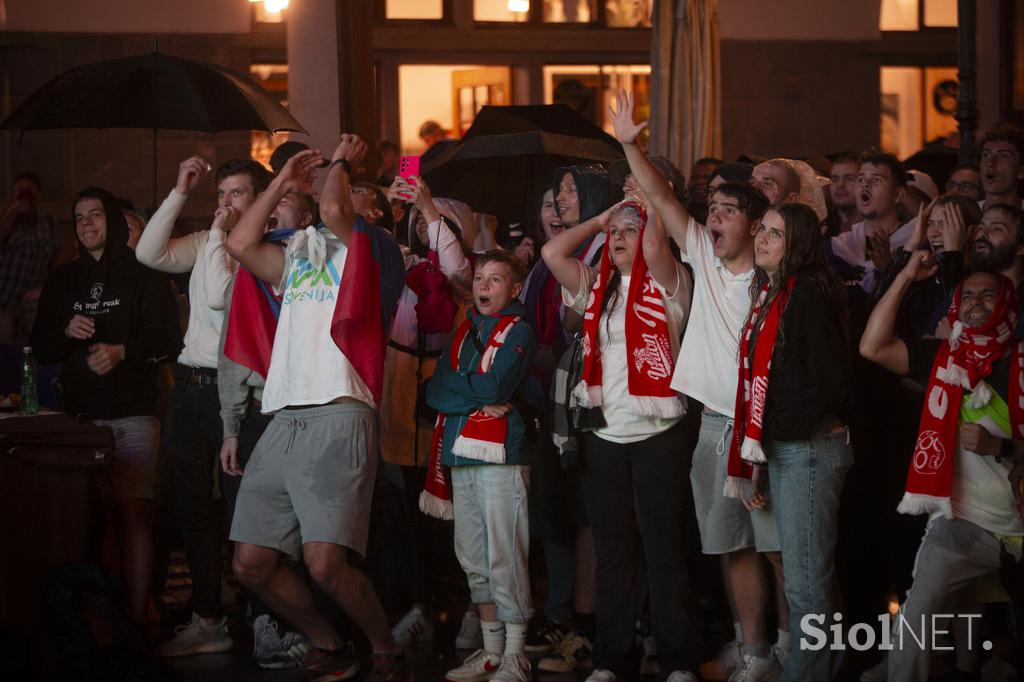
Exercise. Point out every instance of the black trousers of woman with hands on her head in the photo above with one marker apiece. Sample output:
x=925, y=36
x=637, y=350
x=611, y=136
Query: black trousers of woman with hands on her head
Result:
x=641, y=486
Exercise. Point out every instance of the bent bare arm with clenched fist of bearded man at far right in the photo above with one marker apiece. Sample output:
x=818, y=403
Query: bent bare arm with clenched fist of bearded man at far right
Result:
x=879, y=344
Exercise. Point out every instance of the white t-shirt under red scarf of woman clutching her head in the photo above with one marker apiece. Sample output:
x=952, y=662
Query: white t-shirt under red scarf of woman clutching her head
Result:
x=624, y=425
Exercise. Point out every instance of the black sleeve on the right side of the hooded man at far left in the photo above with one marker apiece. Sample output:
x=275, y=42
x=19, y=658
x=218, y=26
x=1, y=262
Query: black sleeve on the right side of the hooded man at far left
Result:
x=159, y=336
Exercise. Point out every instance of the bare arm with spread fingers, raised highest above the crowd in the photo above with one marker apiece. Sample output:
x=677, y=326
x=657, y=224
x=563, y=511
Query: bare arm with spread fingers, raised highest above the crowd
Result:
x=656, y=188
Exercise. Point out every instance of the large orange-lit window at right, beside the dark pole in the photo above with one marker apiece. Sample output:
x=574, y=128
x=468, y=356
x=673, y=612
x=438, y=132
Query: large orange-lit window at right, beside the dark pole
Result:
x=918, y=107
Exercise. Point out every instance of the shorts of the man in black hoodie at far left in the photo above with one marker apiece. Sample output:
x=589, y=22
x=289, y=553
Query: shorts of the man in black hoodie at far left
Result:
x=137, y=455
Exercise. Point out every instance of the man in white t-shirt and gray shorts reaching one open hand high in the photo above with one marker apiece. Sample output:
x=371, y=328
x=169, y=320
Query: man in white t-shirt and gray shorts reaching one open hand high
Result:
x=722, y=259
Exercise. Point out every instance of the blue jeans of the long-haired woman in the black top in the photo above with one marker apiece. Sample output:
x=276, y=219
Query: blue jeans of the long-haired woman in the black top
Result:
x=806, y=480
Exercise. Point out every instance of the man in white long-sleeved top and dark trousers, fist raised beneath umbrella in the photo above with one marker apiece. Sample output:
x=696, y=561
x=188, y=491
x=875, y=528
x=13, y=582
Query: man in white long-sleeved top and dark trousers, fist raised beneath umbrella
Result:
x=193, y=430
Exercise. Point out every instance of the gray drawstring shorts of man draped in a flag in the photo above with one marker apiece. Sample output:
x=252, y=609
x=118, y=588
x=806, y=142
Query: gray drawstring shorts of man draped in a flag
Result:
x=311, y=480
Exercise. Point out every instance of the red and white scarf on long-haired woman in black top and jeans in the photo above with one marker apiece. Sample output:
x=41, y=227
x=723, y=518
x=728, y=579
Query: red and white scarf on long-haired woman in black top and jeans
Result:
x=752, y=394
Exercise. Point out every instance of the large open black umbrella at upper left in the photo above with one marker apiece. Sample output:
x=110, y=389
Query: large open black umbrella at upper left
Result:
x=153, y=92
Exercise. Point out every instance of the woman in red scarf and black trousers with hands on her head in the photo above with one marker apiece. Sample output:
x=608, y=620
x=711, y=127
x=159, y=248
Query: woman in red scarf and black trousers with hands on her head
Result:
x=634, y=307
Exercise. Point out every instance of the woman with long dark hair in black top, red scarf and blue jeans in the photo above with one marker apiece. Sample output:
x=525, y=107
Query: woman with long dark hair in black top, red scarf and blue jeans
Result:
x=791, y=402
